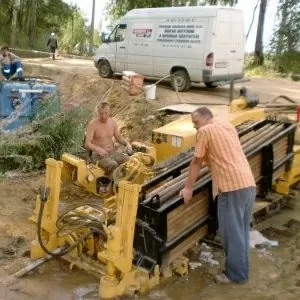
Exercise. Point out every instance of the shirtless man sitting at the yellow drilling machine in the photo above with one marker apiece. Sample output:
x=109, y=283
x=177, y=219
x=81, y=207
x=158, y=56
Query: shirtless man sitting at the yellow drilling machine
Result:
x=99, y=139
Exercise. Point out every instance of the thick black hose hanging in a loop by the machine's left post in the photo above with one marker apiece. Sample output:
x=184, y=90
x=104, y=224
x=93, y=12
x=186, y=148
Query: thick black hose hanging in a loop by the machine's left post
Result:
x=63, y=251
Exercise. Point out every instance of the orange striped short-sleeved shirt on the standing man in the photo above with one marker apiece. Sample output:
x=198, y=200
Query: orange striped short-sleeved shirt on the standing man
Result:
x=219, y=146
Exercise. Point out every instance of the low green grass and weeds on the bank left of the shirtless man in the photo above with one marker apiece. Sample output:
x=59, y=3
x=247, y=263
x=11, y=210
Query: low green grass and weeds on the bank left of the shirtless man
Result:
x=47, y=137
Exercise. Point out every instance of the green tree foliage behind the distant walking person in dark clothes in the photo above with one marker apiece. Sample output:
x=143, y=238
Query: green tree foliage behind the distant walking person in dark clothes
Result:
x=28, y=24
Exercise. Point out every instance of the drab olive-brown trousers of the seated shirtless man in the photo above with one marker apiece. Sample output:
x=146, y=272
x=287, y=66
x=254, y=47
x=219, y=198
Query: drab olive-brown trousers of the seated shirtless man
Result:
x=111, y=161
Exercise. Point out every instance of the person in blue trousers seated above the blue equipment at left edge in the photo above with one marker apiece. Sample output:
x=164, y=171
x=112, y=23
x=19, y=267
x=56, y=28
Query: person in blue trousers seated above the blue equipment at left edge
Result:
x=10, y=64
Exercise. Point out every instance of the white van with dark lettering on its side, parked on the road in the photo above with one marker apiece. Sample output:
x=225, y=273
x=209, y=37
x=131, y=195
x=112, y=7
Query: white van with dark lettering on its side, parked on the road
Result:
x=195, y=44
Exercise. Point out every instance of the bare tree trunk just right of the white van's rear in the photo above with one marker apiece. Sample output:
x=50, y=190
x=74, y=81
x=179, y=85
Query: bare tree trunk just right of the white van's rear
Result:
x=258, y=52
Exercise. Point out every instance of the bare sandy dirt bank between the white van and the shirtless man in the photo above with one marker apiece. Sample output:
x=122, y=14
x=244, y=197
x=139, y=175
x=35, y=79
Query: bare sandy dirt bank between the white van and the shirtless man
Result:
x=135, y=115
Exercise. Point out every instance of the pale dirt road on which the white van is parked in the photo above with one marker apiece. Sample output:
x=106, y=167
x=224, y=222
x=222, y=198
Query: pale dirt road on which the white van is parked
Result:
x=265, y=88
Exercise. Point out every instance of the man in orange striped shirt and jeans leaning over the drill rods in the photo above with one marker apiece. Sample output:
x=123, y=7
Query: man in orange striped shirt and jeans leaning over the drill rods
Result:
x=218, y=145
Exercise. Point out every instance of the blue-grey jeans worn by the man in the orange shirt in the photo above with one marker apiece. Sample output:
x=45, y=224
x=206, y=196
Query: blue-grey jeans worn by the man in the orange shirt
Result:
x=234, y=217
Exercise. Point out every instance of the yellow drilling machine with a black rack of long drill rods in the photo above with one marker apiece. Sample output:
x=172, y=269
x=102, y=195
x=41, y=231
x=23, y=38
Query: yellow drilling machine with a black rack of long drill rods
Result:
x=137, y=229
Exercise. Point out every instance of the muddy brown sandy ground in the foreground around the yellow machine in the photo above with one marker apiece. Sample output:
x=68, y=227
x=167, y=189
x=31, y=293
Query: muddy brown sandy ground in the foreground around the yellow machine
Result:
x=275, y=272
